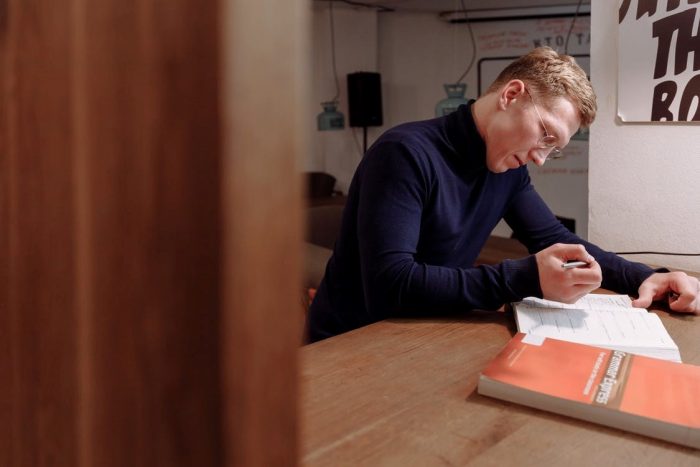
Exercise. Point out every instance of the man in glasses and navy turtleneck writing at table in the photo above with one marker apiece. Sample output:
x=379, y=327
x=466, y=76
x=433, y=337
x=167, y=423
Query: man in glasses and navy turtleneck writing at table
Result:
x=428, y=194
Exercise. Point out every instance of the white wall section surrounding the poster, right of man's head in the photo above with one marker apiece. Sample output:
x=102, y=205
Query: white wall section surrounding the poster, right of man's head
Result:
x=644, y=179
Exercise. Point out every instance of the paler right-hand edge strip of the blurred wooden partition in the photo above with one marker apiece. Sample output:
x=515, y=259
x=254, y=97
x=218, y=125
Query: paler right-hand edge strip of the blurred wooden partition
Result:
x=263, y=237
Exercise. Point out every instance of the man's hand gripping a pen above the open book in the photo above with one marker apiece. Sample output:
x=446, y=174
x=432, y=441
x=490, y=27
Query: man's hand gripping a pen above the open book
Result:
x=567, y=285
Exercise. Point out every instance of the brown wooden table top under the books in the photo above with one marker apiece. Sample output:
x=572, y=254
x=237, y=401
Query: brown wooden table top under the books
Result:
x=403, y=392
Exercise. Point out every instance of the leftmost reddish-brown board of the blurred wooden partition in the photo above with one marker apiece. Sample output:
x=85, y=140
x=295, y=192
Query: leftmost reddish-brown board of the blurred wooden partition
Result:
x=38, y=231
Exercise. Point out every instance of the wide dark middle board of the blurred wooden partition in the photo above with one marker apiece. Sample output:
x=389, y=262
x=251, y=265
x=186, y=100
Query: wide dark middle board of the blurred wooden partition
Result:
x=149, y=153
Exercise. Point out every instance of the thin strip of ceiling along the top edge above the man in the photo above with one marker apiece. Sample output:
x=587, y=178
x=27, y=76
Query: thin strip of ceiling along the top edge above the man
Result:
x=450, y=5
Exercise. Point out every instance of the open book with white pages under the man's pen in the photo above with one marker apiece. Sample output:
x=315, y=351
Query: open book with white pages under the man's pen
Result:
x=600, y=320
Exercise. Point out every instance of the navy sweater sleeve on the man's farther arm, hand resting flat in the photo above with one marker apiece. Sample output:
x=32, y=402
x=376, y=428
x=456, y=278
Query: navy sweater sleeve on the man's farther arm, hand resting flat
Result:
x=536, y=227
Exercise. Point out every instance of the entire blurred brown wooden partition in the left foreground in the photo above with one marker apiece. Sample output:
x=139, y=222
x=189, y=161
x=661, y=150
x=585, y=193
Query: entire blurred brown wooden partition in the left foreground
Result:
x=150, y=272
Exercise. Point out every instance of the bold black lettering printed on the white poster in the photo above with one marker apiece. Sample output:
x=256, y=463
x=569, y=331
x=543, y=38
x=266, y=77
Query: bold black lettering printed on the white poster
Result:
x=679, y=25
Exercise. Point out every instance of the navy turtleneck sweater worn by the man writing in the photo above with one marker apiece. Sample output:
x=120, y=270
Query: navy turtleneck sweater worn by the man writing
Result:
x=420, y=207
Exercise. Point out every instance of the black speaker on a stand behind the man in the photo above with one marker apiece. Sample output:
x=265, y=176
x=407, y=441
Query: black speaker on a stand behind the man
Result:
x=365, y=99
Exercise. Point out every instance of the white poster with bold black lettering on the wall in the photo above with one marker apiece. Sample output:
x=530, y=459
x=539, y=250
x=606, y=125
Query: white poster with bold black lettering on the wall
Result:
x=659, y=61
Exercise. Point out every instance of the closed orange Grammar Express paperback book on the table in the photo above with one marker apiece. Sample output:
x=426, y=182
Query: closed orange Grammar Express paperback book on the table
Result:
x=644, y=395
